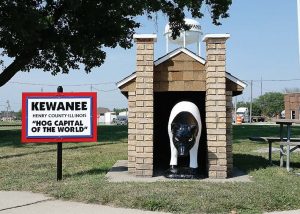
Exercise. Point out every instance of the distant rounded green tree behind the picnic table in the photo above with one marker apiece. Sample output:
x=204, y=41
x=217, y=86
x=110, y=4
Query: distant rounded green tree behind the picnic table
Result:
x=270, y=103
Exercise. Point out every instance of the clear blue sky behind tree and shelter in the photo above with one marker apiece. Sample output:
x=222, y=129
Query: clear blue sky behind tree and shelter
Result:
x=263, y=44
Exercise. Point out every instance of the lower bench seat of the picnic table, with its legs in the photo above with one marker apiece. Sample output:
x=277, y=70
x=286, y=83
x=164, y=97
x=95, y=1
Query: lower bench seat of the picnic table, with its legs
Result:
x=282, y=142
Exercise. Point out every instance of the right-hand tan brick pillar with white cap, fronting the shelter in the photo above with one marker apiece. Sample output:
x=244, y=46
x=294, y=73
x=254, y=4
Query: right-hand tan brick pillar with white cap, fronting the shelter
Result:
x=218, y=140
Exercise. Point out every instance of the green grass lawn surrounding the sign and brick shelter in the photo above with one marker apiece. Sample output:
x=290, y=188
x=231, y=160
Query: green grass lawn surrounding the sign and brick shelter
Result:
x=32, y=167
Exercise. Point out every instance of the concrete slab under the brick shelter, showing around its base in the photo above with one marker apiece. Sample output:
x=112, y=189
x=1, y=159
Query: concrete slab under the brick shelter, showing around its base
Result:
x=119, y=173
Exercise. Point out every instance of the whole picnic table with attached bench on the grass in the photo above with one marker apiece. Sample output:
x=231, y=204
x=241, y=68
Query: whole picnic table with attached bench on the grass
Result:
x=284, y=141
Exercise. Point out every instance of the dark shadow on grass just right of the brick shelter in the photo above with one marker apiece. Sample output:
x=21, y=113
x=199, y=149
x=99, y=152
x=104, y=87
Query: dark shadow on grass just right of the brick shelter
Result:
x=249, y=163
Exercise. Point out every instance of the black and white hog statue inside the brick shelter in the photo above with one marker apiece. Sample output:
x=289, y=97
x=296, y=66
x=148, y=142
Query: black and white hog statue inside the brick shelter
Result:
x=184, y=129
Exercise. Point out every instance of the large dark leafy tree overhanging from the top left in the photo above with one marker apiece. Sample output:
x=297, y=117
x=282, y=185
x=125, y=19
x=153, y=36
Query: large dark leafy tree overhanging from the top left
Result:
x=58, y=35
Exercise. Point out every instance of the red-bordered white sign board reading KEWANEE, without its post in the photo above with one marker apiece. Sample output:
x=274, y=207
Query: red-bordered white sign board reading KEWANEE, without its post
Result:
x=59, y=117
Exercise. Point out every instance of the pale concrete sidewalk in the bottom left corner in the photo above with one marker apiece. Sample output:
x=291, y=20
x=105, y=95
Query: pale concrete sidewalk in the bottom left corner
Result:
x=33, y=203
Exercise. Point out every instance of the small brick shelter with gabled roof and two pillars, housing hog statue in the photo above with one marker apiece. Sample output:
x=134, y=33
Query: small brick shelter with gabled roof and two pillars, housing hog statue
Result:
x=180, y=75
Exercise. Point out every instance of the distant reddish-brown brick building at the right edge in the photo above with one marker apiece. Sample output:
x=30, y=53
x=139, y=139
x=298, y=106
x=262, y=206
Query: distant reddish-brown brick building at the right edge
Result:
x=292, y=106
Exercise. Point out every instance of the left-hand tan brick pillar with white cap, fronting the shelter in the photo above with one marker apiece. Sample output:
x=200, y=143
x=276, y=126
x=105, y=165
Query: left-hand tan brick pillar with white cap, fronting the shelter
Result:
x=144, y=105
